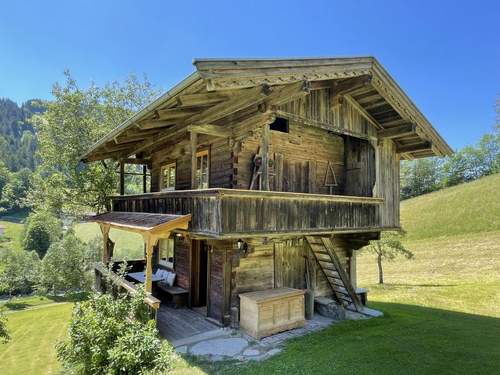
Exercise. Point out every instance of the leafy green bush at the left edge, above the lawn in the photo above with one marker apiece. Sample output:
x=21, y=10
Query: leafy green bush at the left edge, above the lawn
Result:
x=19, y=272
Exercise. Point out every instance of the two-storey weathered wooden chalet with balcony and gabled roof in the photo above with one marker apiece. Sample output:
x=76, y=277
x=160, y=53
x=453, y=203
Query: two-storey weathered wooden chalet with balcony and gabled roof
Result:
x=266, y=174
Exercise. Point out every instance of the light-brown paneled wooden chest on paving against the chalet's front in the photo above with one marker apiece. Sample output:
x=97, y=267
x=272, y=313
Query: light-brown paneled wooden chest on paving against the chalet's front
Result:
x=271, y=311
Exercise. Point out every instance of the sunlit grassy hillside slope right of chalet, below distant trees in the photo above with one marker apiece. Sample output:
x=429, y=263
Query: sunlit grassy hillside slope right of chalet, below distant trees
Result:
x=468, y=208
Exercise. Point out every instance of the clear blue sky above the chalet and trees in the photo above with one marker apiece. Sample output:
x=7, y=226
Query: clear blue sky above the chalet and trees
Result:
x=444, y=54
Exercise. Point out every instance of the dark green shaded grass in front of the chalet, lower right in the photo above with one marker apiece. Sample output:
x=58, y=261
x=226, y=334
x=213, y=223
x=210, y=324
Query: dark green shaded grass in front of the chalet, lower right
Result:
x=408, y=339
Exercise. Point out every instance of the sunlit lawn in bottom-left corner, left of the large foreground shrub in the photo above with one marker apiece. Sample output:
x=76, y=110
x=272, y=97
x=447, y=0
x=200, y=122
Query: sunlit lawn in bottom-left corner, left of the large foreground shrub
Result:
x=34, y=334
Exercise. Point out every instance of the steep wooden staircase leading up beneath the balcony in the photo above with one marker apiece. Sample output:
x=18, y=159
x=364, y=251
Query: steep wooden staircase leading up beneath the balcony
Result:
x=343, y=291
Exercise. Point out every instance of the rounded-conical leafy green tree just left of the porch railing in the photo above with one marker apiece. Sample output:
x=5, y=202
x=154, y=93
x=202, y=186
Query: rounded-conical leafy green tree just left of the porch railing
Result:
x=65, y=267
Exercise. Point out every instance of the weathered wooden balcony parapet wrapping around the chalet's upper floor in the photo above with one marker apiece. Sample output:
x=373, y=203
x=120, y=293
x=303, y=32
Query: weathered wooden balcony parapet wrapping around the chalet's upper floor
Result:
x=227, y=213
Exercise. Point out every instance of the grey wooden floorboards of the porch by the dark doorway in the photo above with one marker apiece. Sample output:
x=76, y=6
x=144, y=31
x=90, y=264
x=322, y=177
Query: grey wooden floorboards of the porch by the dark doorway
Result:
x=176, y=324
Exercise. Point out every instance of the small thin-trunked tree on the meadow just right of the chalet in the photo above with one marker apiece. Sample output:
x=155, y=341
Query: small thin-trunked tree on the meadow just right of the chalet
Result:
x=388, y=248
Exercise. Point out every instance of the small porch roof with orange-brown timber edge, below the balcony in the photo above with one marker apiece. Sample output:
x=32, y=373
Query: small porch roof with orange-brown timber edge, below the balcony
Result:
x=142, y=222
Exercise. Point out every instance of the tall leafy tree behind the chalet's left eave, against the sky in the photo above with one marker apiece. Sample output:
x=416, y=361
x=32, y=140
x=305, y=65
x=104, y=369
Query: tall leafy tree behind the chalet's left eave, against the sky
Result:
x=73, y=121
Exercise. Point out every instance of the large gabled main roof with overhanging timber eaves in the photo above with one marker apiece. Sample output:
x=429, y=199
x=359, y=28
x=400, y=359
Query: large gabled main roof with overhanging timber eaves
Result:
x=171, y=115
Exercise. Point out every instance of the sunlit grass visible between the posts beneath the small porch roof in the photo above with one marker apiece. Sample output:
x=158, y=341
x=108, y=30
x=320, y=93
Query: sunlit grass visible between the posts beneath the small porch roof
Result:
x=127, y=245
